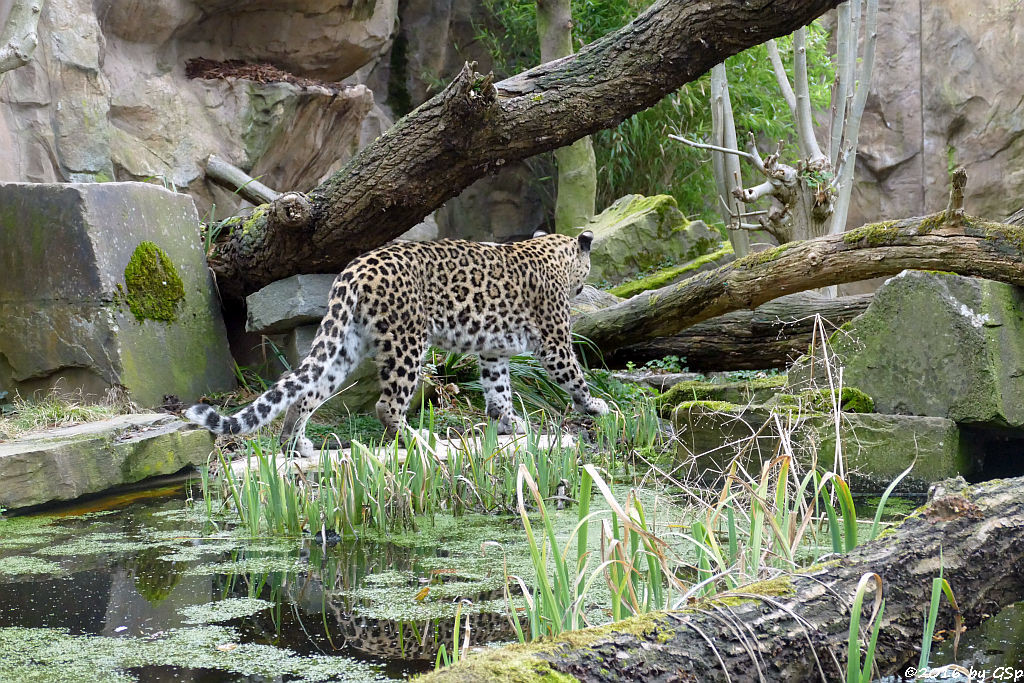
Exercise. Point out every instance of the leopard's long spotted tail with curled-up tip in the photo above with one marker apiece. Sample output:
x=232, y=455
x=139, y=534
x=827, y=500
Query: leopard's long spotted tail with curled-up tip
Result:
x=331, y=358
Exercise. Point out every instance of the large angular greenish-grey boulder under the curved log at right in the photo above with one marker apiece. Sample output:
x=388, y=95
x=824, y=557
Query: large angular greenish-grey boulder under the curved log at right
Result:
x=937, y=345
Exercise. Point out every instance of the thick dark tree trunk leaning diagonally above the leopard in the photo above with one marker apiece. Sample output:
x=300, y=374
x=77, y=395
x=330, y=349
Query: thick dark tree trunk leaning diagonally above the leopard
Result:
x=475, y=127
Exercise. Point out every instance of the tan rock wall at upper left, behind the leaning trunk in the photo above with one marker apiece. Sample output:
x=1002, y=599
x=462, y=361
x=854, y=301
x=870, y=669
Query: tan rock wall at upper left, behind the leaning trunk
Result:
x=107, y=97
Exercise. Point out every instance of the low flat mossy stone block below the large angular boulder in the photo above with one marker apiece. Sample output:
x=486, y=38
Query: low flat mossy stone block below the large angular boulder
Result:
x=876, y=448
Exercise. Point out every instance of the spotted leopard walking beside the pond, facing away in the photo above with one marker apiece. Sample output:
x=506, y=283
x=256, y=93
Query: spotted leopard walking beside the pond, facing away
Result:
x=495, y=301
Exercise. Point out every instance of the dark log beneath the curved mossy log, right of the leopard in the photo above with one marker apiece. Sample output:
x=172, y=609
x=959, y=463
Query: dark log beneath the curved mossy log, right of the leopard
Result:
x=771, y=336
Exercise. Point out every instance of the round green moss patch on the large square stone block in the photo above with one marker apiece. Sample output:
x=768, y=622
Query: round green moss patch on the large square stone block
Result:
x=153, y=288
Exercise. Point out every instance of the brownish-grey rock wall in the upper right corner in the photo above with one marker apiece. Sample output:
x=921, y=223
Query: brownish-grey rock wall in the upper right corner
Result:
x=947, y=92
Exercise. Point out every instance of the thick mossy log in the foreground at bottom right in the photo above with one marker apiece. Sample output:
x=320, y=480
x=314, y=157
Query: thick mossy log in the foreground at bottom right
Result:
x=795, y=628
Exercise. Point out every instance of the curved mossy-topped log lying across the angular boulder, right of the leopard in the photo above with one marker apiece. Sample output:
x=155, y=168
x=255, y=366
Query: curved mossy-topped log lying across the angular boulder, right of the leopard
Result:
x=959, y=244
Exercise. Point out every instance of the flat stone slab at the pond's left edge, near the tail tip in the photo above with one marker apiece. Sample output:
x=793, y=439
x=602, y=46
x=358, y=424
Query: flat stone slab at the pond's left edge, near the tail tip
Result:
x=66, y=463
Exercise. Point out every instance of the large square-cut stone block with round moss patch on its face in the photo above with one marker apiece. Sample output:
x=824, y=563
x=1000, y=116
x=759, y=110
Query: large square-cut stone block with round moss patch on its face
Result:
x=106, y=285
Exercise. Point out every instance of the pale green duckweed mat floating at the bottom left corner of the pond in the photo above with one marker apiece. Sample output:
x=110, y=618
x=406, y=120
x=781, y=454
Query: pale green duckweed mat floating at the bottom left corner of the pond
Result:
x=56, y=656
